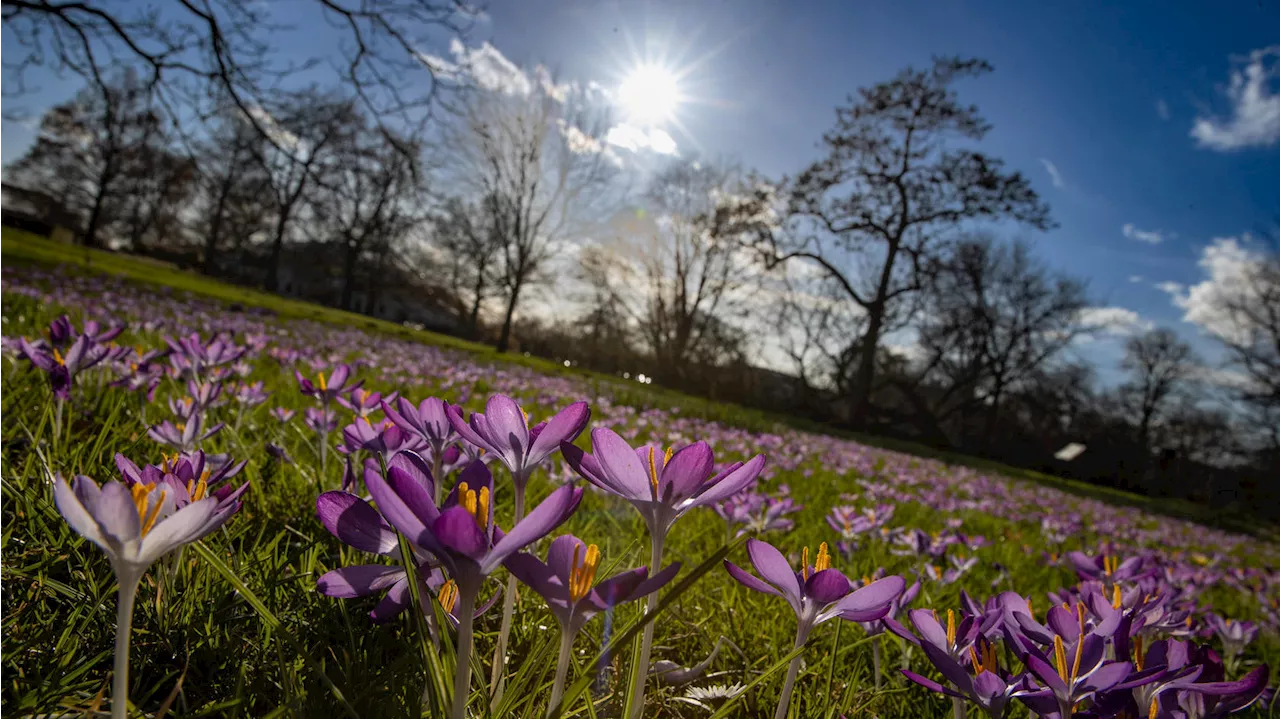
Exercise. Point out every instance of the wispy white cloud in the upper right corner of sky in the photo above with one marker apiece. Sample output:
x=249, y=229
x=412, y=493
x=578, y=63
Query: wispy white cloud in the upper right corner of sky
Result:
x=1255, y=117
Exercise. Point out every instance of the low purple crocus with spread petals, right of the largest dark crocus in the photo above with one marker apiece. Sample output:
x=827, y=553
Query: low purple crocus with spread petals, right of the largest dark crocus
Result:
x=568, y=583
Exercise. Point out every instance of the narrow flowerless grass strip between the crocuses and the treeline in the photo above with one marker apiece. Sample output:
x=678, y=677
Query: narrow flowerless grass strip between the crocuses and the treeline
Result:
x=19, y=248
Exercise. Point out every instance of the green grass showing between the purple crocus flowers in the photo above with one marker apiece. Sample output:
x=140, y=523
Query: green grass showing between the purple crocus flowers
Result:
x=236, y=628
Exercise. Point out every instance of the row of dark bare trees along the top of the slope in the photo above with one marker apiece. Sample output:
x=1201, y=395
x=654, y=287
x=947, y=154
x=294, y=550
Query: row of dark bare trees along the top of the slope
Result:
x=889, y=282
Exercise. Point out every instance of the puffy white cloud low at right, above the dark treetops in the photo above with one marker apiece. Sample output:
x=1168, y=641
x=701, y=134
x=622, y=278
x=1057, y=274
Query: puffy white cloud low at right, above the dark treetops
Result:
x=1228, y=267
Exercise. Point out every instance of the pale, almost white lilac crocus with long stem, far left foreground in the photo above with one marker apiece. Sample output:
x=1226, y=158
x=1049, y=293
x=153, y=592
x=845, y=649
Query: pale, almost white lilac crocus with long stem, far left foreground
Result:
x=135, y=528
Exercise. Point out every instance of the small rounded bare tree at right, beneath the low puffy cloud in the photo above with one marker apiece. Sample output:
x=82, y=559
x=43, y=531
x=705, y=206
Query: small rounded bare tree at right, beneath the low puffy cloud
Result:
x=1162, y=367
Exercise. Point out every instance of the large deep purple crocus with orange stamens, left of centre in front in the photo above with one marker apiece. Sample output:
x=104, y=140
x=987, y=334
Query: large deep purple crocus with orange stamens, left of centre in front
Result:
x=464, y=538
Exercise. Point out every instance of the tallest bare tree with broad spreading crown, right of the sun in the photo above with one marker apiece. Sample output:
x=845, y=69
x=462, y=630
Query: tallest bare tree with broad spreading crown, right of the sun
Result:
x=875, y=210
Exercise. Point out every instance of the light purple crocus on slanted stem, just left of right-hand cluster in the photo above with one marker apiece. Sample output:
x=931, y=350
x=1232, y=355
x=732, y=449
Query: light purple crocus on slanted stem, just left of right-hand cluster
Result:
x=816, y=594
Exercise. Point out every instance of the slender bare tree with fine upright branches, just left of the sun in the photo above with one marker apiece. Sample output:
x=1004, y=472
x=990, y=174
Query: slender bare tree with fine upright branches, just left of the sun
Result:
x=538, y=164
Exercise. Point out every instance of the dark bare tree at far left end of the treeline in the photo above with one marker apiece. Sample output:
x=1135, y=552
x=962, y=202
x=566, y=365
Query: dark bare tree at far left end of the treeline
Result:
x=84, y=146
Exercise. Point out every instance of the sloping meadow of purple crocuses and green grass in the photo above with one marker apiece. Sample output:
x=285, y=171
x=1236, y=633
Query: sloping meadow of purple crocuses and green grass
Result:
x=156, y=377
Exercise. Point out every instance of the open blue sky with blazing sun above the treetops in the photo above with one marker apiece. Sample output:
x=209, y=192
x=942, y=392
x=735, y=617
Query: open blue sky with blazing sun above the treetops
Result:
x=1151, y=129
